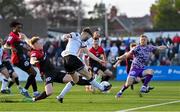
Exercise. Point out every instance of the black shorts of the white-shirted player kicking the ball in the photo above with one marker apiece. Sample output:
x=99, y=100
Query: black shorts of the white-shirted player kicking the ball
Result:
x=72, y=64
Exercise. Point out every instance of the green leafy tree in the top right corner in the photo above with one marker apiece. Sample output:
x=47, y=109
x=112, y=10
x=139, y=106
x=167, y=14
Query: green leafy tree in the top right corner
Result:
x=166, y=14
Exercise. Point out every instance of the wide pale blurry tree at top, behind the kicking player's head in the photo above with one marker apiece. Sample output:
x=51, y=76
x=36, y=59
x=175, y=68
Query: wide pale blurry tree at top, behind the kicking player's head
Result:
x=57, y=12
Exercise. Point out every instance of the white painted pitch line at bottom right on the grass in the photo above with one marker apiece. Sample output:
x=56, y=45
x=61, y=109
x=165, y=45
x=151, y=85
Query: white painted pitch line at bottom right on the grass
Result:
x=155, y=105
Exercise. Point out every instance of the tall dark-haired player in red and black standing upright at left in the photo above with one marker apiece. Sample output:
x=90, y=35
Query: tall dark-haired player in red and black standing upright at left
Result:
x=20, y=57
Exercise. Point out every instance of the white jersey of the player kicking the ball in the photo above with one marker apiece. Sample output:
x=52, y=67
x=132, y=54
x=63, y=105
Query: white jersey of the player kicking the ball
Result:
x=73, y=45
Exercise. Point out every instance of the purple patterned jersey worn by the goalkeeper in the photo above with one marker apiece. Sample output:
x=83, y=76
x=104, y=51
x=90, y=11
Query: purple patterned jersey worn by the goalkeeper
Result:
x=141, y=55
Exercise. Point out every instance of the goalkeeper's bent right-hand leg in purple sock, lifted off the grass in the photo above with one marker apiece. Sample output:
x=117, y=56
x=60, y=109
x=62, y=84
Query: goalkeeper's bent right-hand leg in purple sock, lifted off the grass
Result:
x=148, y=74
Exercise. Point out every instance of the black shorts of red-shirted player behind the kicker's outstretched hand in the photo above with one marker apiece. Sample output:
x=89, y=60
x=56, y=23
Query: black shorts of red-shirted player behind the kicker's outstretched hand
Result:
x=97, y=66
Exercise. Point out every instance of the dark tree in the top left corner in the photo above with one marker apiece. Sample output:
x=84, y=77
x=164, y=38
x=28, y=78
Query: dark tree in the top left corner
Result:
x=13, y=9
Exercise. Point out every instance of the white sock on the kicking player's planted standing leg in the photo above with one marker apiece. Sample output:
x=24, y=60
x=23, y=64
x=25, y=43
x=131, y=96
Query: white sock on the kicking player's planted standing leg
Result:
x=66, y=89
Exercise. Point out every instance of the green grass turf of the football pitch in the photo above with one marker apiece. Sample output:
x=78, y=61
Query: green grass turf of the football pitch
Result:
x=79, y=100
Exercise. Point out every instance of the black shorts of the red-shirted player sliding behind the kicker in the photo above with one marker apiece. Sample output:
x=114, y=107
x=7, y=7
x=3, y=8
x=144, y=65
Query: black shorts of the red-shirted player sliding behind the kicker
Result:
x=54, y=76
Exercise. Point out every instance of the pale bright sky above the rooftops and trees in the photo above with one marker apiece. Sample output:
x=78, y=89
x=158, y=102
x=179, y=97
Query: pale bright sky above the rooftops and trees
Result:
x=132, y=8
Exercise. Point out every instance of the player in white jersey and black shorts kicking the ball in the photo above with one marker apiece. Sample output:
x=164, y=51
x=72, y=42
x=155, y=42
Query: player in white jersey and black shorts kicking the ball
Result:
x=73, y=64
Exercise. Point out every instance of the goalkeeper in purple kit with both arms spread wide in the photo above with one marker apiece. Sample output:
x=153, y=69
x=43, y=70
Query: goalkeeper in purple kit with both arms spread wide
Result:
x=141, y=54
